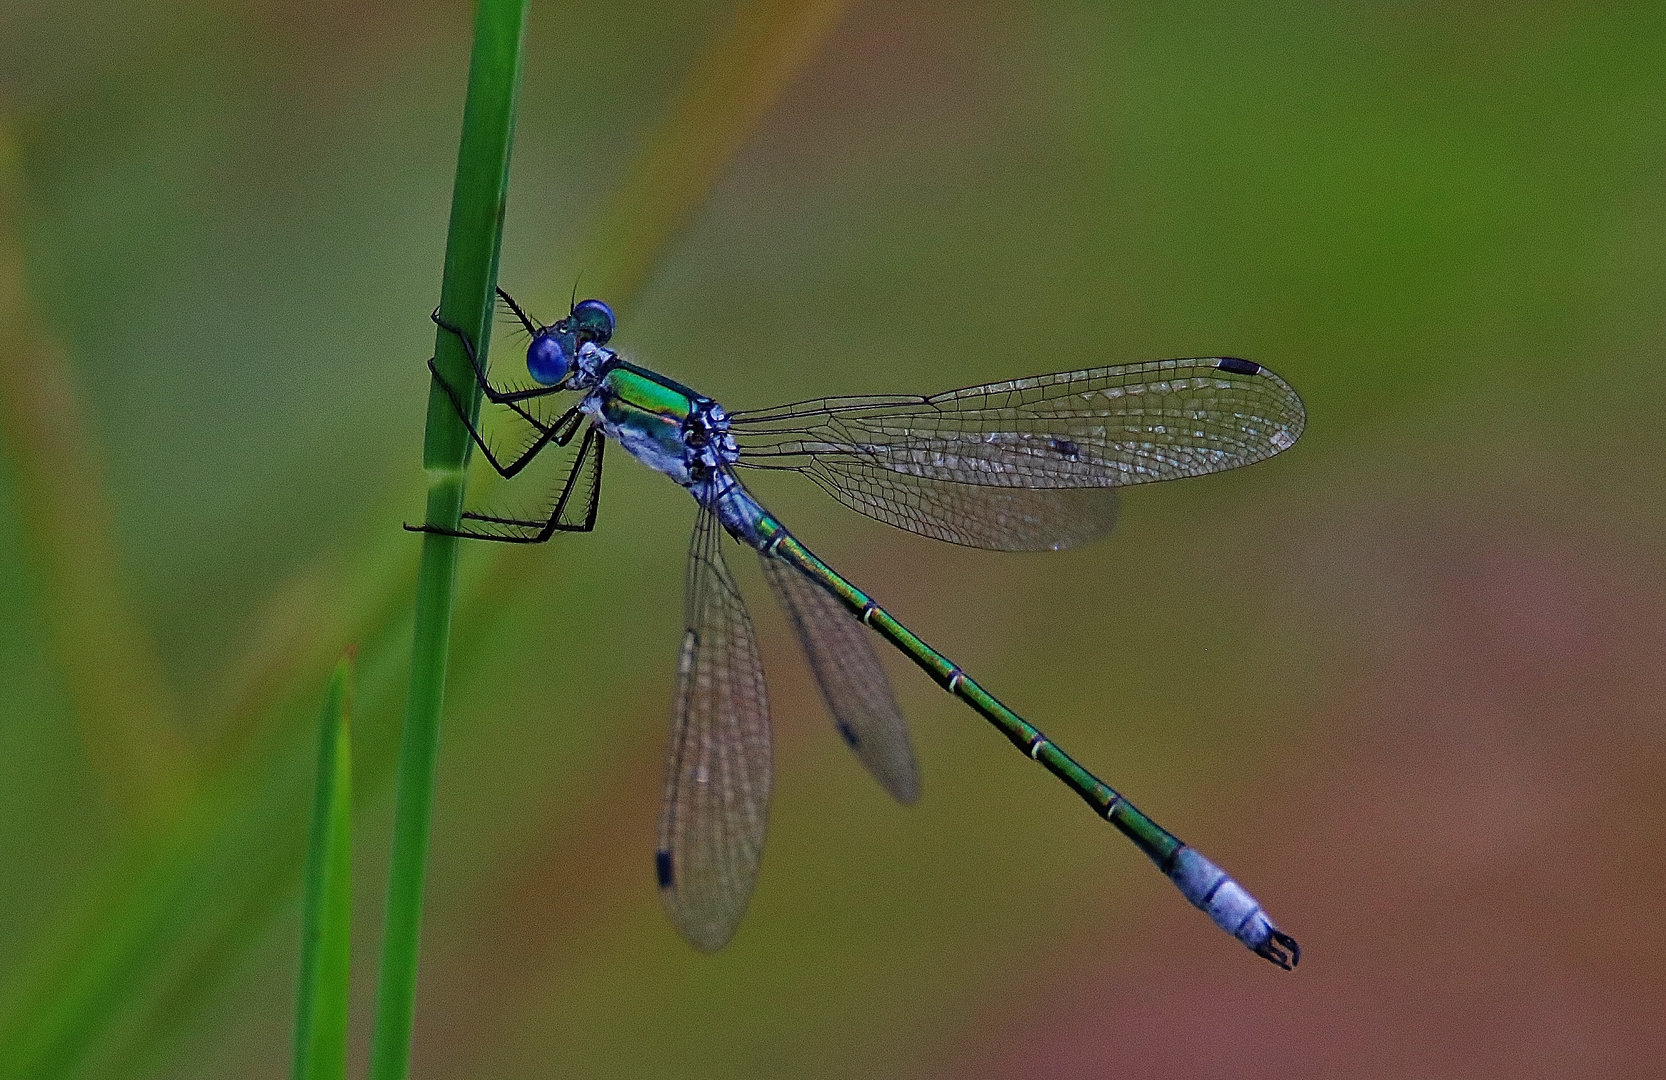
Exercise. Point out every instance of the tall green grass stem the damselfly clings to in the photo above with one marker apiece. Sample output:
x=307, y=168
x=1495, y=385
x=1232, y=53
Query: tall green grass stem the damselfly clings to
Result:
x=466, y=301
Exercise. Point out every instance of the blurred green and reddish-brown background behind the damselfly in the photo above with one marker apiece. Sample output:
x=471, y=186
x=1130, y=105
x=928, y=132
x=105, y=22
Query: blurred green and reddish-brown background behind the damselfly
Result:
x=1404, y=681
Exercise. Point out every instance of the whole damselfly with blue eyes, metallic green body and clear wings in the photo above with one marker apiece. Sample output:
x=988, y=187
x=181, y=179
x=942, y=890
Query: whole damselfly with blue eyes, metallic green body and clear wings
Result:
x=1025, y=464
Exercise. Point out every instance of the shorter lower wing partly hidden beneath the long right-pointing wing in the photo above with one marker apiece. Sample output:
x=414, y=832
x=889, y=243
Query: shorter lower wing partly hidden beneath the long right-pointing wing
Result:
x=1007, y=519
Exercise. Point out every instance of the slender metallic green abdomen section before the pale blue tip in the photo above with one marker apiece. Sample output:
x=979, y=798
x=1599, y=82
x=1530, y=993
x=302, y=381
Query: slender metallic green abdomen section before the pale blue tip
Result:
x=1150, y=837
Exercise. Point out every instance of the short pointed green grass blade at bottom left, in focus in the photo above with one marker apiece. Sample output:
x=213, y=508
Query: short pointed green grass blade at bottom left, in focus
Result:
x=327, y=907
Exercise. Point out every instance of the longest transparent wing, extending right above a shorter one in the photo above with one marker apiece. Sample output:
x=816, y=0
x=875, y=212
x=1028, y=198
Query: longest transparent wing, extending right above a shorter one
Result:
x=1099, y=427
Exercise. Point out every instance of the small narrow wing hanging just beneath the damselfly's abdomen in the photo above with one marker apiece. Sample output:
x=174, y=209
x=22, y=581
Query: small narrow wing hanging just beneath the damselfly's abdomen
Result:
x=852, y=681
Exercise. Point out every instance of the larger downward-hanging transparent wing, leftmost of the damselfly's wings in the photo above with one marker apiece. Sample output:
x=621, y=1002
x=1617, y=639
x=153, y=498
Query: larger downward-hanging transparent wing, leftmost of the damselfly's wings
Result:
x=717, y=769
